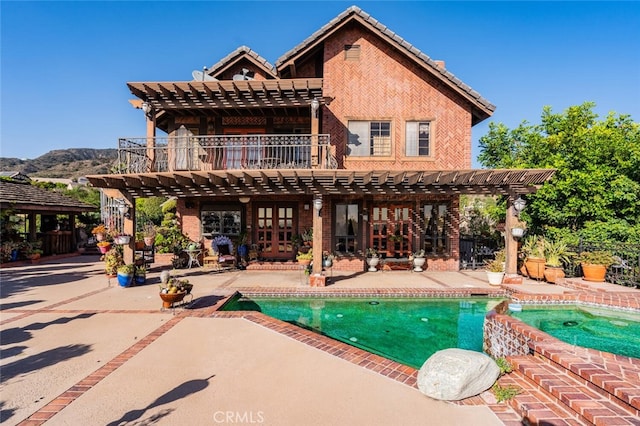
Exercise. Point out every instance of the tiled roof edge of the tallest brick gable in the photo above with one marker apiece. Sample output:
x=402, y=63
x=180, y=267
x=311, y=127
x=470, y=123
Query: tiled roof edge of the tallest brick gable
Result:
x=484, y=108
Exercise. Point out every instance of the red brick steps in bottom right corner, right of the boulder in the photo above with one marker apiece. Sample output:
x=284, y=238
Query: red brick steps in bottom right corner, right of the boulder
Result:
x=567, y=392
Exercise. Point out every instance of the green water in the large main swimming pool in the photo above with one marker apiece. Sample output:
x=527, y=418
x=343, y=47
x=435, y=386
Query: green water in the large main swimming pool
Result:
x=405, y=330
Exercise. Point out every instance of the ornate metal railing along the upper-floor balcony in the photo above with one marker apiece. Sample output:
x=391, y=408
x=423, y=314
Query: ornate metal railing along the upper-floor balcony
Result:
x=223, y=152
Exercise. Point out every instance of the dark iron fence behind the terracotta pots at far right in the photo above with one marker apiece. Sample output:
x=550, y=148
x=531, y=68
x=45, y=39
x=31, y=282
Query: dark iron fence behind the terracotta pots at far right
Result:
x=626, y=269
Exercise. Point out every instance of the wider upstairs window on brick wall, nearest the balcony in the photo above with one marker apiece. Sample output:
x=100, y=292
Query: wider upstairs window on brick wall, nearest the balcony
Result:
x=369, y=138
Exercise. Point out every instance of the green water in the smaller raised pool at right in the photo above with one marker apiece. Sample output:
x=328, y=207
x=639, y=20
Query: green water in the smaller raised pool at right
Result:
x=607, y=330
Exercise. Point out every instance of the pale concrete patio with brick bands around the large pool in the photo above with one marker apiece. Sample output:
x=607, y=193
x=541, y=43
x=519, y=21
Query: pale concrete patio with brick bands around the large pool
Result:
x=77, y=349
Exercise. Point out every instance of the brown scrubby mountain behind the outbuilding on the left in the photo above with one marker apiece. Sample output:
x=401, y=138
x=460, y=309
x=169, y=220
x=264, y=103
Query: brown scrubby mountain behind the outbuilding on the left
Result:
x=64, y=163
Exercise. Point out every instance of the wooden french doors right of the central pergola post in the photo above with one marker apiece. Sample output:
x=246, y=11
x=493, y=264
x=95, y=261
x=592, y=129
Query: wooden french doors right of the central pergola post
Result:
x=391, y=229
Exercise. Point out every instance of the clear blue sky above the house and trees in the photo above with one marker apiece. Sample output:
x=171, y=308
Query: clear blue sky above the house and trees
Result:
x=64, y=65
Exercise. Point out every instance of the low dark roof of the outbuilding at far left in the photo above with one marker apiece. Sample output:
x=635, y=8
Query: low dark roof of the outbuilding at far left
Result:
x=25, y=197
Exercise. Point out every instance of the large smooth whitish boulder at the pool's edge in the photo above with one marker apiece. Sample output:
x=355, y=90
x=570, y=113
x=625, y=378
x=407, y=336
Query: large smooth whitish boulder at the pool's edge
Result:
x=453, y=374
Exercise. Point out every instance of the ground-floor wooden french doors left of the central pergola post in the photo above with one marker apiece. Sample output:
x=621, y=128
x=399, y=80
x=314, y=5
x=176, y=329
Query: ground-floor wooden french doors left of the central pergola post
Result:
x=275, y=227
